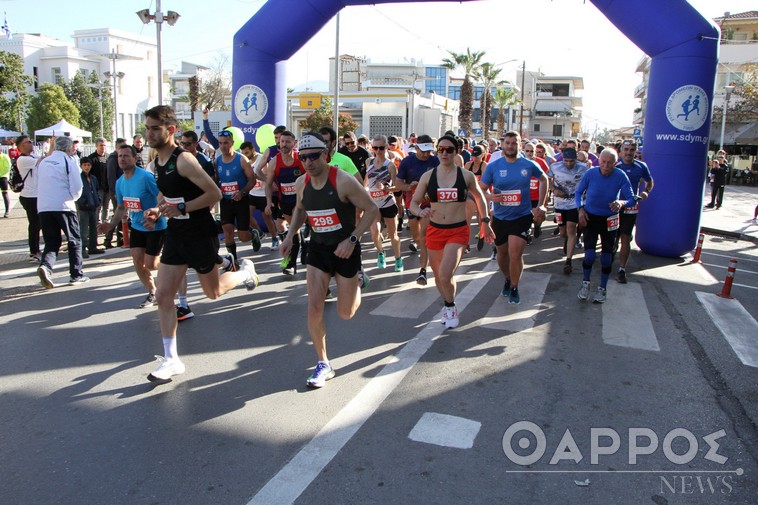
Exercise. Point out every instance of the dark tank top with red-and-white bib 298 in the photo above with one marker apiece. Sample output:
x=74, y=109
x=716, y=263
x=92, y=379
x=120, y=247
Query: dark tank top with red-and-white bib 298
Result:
x=331, y=219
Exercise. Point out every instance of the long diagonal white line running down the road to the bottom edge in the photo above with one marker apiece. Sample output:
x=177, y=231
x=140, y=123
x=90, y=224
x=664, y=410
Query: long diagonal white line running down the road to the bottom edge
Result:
x=296, y=476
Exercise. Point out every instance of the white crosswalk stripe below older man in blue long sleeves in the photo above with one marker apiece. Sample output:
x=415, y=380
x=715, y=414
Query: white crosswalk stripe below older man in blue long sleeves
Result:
x=626, y=320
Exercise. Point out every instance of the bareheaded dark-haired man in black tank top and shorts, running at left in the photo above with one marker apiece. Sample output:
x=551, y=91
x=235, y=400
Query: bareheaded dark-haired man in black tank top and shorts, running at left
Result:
x=187, y=193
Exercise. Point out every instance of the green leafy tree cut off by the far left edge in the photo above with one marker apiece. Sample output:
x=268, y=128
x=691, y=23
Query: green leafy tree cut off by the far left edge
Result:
x=13, y=90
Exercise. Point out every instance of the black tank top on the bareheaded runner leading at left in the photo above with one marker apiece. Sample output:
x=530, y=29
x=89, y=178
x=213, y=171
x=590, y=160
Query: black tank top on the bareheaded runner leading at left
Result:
x=173, y=186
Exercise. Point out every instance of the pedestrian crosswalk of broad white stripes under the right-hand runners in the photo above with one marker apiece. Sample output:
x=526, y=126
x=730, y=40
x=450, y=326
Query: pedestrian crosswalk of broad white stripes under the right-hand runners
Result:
x=625, y=320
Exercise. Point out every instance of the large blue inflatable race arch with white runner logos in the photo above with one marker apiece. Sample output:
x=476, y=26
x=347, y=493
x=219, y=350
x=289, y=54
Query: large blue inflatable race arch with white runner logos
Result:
x=682, y=45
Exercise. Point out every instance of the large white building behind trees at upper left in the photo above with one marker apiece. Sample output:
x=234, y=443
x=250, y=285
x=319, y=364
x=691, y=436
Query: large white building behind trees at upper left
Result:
x=101, y=50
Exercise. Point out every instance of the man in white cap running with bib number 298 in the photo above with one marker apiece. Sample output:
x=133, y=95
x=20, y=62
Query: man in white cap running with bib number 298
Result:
x=329, y=200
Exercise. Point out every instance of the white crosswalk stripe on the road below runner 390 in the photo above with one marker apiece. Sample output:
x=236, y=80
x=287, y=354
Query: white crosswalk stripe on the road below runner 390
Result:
x=513, y=318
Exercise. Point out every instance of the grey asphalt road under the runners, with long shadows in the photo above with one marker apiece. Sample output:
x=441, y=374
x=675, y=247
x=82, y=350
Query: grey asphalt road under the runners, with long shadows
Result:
x=414, y=415
